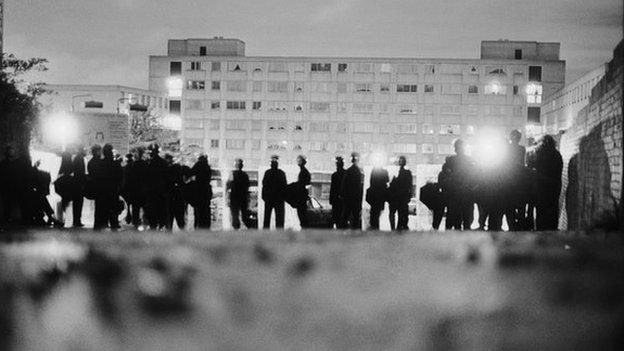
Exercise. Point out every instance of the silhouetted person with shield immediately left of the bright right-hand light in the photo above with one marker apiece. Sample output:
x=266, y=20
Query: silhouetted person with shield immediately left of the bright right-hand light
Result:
x=457, y=180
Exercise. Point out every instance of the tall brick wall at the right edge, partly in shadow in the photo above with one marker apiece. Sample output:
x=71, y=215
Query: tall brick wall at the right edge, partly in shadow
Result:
x=592, y=153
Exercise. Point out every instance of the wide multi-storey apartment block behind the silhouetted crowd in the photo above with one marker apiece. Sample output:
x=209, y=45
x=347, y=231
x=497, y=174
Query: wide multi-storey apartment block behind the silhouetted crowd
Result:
x=234, y=105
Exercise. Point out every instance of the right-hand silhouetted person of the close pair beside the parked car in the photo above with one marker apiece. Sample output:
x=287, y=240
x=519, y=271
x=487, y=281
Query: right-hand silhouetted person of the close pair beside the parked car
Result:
x=351, y=192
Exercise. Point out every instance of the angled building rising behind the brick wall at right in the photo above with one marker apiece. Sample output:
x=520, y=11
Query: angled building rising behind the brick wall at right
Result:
x=561, y=108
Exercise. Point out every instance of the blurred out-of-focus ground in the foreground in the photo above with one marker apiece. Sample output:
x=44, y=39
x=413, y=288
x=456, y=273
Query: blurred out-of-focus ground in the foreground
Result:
x=310, y=291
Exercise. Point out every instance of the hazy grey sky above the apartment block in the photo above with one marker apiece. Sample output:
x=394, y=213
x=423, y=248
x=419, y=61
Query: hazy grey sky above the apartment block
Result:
x=108, y=41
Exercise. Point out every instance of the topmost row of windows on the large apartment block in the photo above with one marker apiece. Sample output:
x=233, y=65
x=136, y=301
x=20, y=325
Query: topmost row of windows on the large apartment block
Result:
x=535, y=72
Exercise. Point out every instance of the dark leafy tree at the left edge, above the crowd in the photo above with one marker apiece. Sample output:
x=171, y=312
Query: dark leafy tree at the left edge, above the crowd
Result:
x=19, y=109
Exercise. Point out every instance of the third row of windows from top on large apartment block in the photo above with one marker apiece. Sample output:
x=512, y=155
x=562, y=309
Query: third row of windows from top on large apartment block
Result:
x=342, y=107
